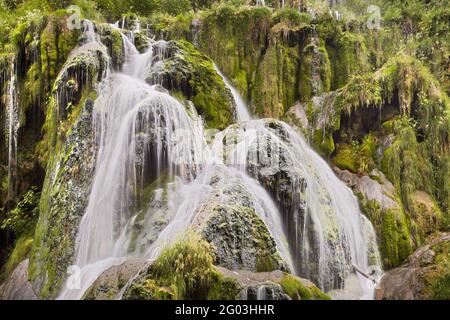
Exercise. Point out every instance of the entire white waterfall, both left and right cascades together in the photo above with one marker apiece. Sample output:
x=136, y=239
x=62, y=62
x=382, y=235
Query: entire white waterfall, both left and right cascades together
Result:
x=154, y=164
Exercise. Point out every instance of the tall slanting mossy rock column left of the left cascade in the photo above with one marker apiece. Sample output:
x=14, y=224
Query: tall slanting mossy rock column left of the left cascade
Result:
x=63, y=202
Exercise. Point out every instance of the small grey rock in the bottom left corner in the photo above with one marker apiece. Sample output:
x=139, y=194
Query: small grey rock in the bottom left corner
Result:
x=18, y=287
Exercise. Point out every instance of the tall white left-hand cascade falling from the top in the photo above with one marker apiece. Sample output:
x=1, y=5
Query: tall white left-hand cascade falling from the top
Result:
x=141, y=132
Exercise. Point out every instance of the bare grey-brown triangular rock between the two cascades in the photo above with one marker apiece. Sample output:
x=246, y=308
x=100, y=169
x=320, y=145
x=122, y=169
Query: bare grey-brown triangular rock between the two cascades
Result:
x=228, y=220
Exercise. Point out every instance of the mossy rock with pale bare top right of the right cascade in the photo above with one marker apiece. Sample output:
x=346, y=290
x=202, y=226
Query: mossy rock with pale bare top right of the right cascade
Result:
x=398, y=232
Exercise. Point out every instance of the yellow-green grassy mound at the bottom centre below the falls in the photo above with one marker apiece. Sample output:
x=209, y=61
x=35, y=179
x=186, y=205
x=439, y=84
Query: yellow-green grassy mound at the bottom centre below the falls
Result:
x=184, y=271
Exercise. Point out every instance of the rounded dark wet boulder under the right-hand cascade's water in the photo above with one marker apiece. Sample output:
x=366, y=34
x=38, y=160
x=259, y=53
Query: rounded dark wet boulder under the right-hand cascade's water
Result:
x=270, y=158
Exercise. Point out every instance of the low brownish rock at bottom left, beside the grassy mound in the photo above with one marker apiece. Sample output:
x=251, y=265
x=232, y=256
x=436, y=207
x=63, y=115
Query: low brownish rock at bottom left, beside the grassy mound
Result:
x=111, y=281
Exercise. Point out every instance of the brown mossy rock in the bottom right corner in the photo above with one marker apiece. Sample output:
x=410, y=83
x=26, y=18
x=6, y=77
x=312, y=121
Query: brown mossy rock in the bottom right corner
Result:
x=426, y=275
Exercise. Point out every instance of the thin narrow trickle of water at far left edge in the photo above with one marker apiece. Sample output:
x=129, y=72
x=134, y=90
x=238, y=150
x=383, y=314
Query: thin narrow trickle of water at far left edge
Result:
x=12, y=128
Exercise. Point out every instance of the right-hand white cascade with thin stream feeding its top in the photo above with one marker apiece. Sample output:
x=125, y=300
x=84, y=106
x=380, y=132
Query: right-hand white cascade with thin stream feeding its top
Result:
x=328, y=234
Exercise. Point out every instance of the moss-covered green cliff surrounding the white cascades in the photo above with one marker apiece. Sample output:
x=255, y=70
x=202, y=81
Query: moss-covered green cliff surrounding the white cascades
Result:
x=373, y=100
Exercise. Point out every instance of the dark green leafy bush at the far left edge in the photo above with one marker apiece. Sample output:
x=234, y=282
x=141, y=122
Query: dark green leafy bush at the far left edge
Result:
x=23, y=217
